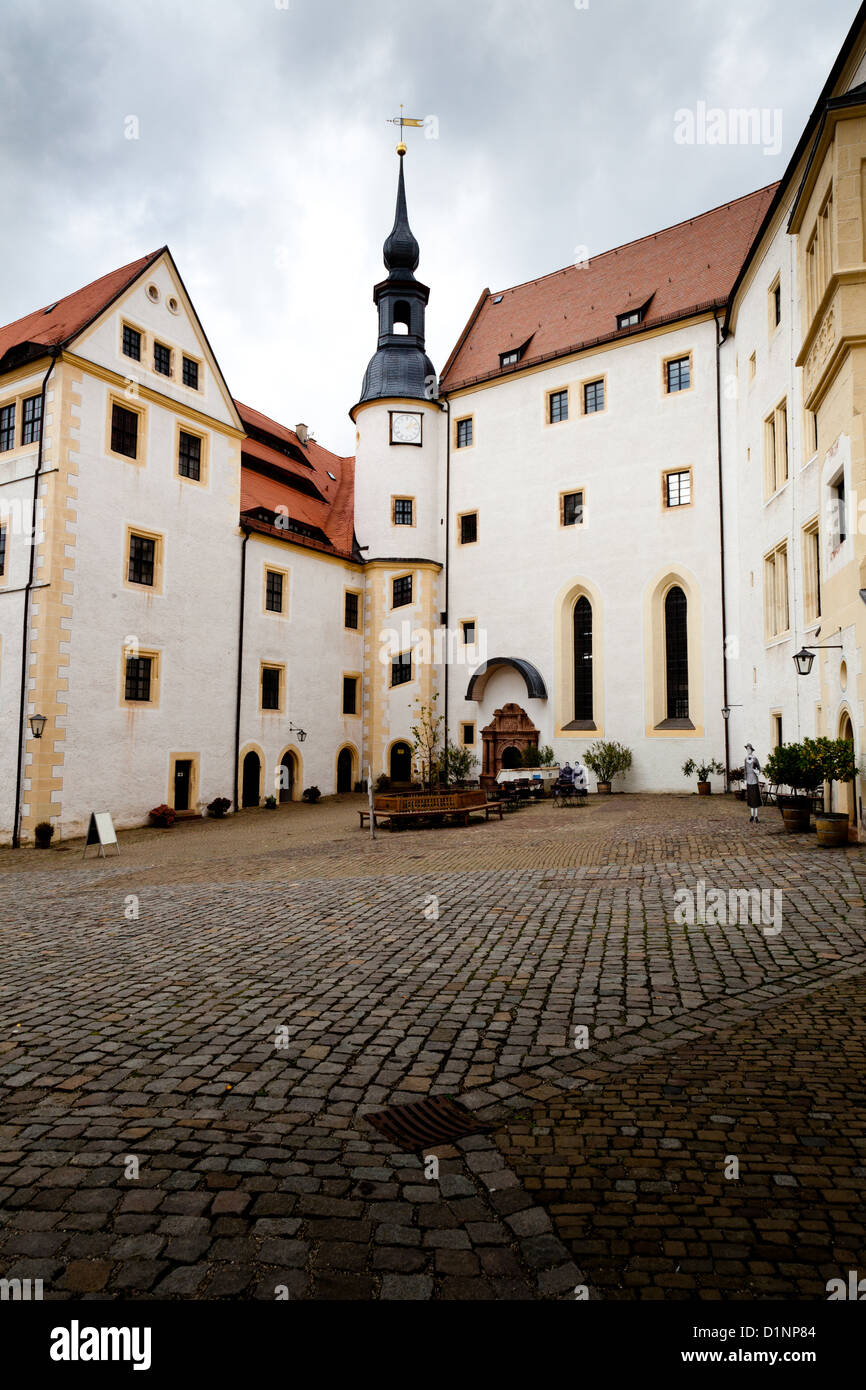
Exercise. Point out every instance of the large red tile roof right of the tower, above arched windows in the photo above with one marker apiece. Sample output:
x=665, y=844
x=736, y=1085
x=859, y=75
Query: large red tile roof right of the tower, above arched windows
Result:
x=682, y=269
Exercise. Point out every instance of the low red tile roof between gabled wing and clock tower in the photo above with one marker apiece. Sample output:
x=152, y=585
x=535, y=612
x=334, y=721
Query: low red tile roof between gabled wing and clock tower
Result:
x=334, y=515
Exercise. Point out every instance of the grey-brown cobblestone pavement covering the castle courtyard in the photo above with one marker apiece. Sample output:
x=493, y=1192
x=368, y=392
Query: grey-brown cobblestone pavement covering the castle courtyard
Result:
x=227, y=1000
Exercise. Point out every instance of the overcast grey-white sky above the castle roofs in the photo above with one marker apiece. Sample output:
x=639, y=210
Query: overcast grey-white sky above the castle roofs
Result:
x=266, y=165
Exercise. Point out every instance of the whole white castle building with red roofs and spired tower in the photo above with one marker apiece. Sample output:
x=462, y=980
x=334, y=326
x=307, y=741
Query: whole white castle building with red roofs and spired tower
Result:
x=626, y=502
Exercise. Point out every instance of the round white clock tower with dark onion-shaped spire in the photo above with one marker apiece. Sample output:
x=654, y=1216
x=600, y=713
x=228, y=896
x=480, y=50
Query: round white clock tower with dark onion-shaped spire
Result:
x=400, y=500
